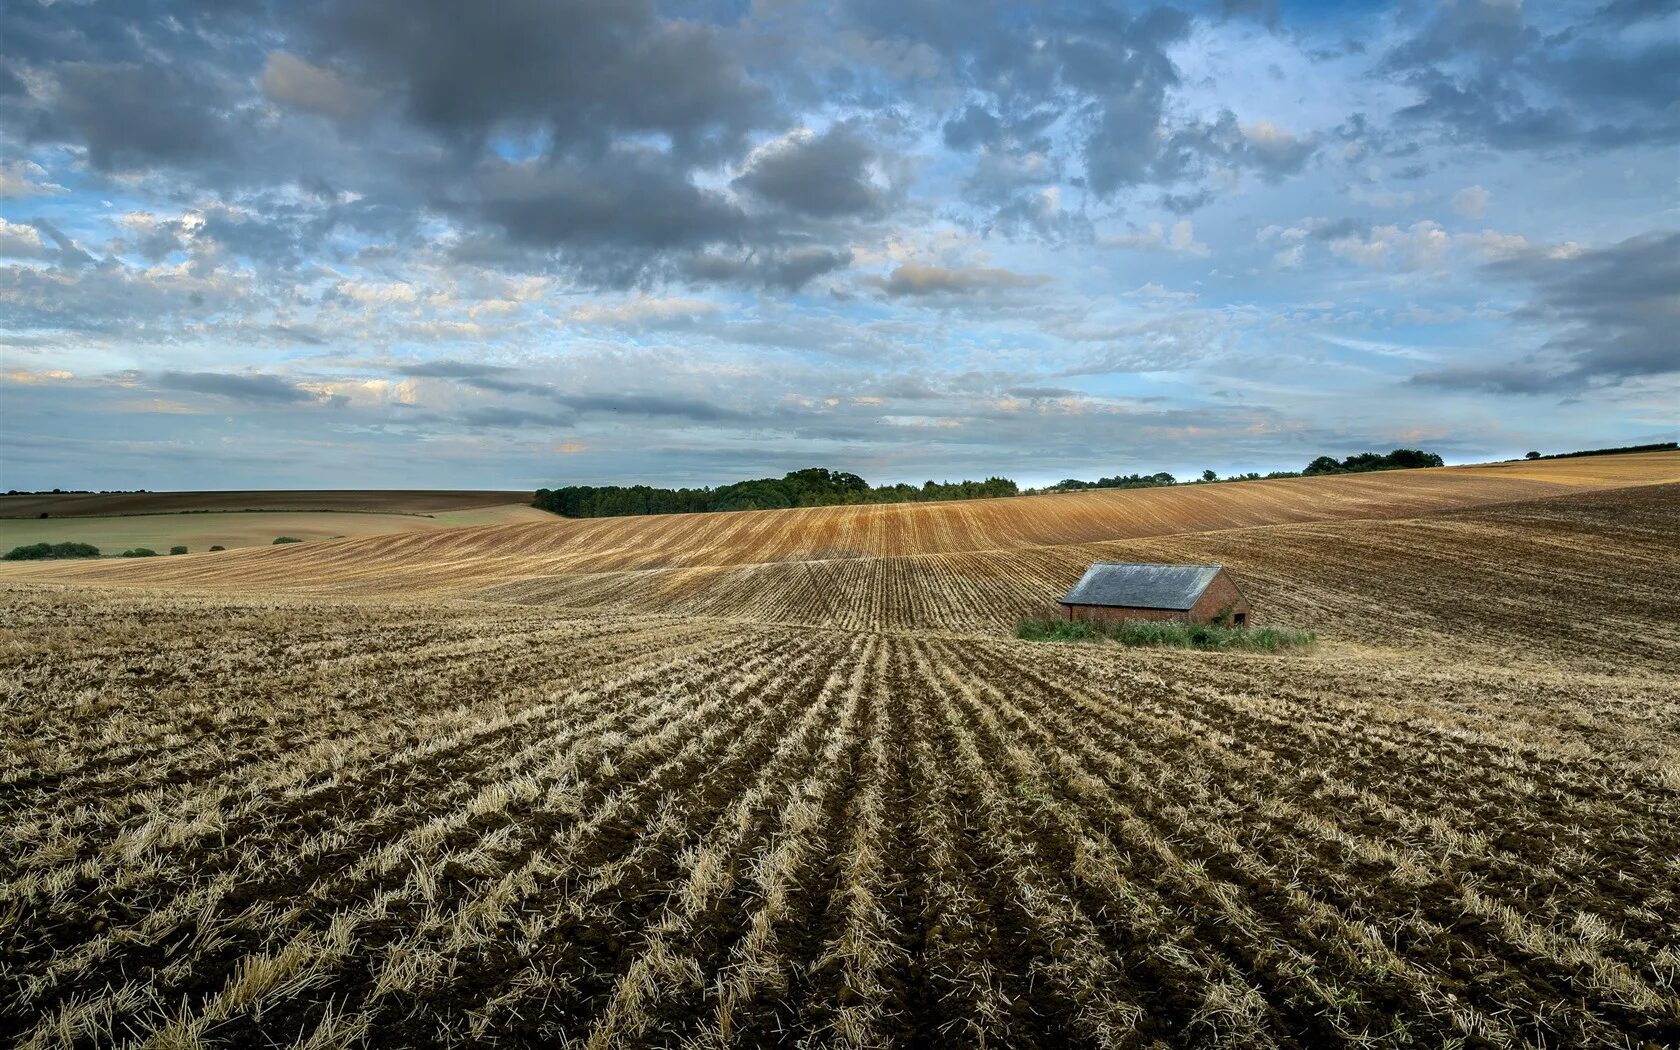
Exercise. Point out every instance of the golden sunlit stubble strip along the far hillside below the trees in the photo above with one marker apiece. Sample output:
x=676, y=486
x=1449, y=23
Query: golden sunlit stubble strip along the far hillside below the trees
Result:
x=456, y=560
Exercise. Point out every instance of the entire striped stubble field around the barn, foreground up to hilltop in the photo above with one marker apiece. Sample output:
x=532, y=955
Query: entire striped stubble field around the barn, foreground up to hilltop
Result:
x=787, y=779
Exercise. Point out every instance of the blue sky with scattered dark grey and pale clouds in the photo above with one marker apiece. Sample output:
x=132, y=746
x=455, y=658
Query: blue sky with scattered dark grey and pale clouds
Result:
x=518, y=244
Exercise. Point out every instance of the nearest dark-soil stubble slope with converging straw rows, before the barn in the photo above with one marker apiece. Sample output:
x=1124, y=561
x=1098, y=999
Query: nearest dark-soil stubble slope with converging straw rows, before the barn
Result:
x=327, y=822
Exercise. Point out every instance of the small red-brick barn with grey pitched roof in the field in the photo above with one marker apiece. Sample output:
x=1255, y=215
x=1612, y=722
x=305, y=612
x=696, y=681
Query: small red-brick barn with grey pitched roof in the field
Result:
x=1120, y=591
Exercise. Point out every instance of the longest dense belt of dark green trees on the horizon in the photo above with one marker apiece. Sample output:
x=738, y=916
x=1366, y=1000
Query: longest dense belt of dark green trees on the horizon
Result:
x=811, y=488
